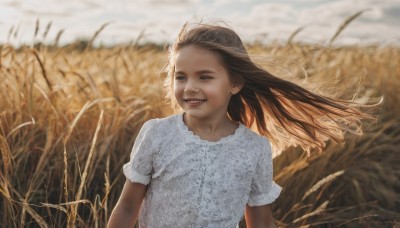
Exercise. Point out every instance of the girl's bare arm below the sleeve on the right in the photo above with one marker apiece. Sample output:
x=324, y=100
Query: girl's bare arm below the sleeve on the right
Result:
x=259, y=217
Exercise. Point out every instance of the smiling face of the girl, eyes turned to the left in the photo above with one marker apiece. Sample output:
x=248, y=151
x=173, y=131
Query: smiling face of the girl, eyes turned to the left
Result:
x=202, y=86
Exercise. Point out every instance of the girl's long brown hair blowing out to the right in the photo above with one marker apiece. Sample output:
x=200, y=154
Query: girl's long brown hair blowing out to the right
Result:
x=286, y=113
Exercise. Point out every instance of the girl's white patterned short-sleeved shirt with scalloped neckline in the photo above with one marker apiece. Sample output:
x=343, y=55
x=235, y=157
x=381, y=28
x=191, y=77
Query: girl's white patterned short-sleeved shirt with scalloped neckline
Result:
x=198, y=183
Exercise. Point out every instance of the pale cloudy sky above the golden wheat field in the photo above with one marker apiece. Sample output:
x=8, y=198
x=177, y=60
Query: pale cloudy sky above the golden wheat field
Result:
x=160, y=20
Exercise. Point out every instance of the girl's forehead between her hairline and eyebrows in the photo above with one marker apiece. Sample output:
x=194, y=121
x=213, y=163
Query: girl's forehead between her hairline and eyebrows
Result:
x=197, y=58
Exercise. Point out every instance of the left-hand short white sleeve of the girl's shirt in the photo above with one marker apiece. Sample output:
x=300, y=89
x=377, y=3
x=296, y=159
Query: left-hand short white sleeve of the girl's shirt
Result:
x=139, y=167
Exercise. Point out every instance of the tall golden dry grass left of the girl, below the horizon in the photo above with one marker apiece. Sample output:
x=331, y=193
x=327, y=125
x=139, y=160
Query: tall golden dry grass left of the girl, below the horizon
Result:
x=67, y=121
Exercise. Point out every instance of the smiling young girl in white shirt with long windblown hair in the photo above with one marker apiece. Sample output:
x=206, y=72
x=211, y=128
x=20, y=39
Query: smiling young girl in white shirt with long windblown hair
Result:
x=204, y=167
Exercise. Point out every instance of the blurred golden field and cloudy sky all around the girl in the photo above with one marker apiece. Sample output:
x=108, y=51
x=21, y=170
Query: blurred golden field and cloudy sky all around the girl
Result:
x=79, y=78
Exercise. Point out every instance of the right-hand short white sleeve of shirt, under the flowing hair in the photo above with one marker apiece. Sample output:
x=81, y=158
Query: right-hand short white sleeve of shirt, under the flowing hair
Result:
x=263, y=189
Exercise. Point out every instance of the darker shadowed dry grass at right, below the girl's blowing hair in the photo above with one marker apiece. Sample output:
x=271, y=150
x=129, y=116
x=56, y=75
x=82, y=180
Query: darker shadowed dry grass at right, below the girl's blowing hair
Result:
x=360, y=181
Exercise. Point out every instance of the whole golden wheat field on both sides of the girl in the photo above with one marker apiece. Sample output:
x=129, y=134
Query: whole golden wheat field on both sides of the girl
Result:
x=69, y=116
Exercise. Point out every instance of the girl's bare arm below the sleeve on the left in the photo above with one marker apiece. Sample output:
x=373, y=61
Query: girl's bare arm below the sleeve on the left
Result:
x=126, y=210
